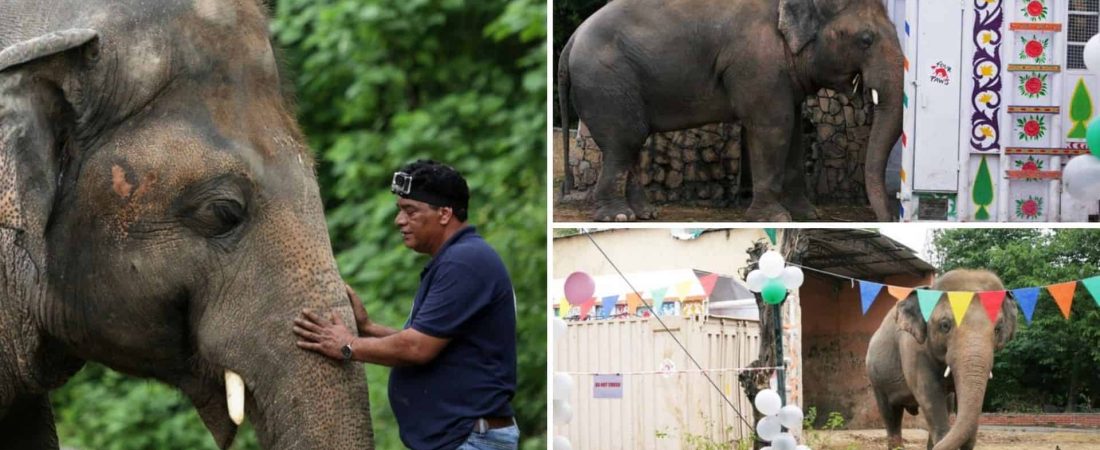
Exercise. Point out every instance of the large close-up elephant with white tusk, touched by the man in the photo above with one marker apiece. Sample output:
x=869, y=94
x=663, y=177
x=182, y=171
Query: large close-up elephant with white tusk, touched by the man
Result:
x=160, y=214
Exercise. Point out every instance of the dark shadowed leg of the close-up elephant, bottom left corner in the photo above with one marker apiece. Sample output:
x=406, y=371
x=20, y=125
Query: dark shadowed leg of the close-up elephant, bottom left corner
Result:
x=29, y=424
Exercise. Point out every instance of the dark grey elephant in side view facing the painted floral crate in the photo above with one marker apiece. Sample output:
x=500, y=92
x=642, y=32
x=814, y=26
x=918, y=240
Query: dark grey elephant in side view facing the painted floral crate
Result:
x=643, y=67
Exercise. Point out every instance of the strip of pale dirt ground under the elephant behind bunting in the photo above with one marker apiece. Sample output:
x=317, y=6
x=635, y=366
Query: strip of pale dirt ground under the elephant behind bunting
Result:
x=989, y=438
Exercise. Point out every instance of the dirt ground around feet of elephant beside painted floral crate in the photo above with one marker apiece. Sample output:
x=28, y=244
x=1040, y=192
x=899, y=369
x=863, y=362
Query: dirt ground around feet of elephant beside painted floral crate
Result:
x=580, y=212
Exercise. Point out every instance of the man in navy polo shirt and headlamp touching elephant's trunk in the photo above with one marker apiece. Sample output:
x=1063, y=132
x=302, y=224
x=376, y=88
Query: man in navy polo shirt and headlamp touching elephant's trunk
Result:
x=455, y=363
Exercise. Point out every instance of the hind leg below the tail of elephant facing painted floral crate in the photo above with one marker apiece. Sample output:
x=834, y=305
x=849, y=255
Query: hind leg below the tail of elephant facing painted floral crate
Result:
x=620, y=135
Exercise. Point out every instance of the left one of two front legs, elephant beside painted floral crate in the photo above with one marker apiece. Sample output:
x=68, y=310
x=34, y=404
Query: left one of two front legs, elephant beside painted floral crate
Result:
x=768, y=142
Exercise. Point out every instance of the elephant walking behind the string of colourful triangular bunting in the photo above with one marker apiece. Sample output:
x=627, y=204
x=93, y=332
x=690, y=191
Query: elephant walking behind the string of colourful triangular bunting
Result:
x=915, y=365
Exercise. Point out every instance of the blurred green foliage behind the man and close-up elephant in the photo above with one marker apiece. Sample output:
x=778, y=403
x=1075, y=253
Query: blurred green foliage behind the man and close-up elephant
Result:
x=379, y=84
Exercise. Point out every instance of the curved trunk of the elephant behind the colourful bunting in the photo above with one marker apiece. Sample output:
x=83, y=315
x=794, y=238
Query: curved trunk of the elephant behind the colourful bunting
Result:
x=972, y=376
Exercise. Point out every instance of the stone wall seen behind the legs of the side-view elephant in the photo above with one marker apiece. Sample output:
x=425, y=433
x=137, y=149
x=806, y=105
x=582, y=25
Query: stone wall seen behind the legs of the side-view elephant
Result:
x=703, y=167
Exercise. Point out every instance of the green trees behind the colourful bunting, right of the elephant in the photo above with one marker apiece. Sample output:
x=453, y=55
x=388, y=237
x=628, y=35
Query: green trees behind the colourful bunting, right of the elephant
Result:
x=1052, y=364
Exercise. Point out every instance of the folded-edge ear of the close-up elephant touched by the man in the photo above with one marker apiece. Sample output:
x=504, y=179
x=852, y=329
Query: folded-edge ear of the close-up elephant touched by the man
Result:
x=35, y=115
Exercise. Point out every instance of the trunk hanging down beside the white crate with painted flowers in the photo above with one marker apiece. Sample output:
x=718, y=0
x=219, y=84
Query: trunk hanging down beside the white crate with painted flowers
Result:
x=886, y=89
